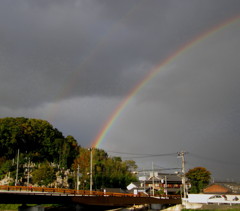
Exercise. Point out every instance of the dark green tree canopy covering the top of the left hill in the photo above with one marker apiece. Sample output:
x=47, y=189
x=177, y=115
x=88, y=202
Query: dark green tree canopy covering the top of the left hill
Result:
x=36, y=139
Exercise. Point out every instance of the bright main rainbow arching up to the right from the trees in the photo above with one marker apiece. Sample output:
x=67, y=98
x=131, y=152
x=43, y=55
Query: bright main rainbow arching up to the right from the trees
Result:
x=152, y=73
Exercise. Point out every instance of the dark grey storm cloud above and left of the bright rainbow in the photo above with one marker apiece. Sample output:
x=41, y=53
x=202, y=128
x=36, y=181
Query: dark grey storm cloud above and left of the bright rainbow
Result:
x=46, y=45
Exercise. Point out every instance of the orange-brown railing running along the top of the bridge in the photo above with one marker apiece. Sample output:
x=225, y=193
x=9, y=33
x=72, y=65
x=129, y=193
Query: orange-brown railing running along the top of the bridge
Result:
x=77, y=192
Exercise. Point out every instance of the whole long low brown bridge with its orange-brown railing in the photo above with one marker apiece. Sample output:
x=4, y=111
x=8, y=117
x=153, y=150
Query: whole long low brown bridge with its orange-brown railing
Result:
x=39, y=195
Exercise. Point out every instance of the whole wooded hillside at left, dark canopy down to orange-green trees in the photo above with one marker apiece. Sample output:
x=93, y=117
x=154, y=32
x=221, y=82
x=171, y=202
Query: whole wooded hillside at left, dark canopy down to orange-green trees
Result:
x=47, y=158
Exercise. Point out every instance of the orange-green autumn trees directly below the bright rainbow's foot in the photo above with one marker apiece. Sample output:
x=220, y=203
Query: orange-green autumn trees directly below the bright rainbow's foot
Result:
x=107, y=172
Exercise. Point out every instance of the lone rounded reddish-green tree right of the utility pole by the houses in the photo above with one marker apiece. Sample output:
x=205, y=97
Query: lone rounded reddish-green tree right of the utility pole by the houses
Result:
x=199, y=178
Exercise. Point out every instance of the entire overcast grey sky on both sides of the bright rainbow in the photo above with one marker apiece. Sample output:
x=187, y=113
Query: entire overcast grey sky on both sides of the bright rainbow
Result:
x=72, y=62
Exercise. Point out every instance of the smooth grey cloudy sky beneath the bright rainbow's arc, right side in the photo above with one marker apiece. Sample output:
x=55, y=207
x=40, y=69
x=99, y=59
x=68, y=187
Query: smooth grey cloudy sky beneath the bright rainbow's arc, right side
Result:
x=192, y=104
